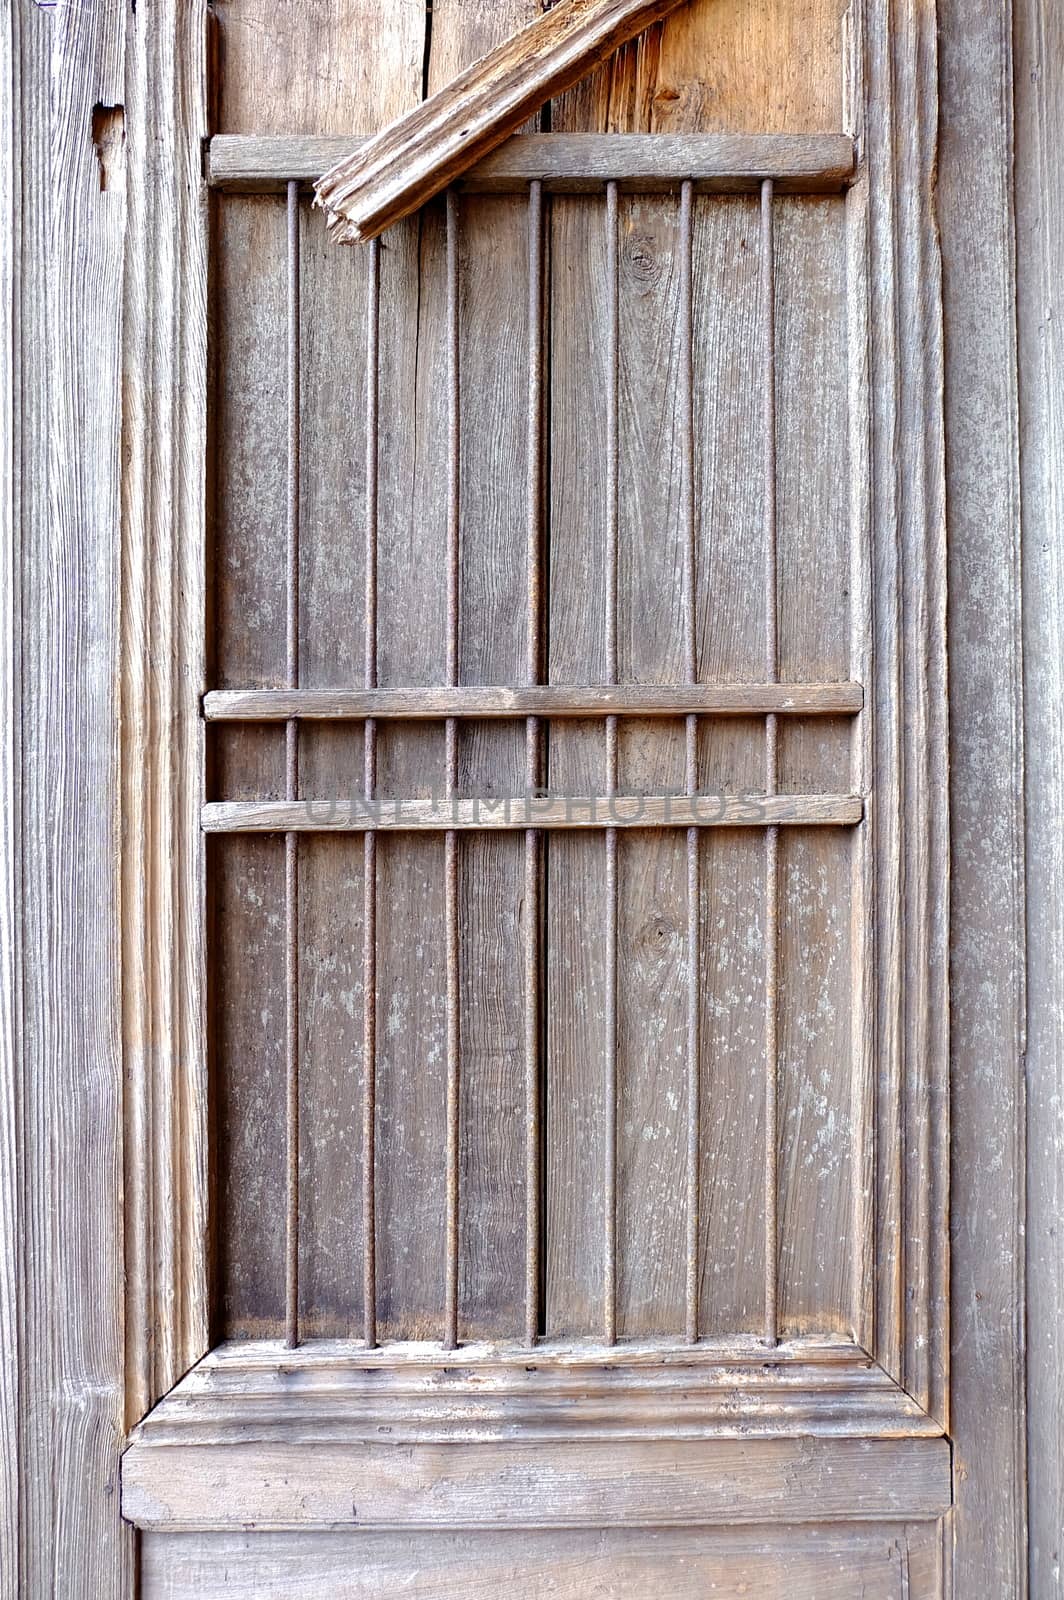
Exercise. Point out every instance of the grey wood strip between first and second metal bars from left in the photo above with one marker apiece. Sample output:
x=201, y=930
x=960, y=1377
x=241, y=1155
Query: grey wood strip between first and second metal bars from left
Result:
x=332, y=580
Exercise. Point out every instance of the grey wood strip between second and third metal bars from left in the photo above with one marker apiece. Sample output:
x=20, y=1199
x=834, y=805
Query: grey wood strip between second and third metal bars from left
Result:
x=412, y=983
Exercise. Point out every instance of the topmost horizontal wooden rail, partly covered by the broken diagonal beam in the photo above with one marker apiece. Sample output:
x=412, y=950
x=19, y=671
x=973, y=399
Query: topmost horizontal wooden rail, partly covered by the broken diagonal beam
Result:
x=567, y=162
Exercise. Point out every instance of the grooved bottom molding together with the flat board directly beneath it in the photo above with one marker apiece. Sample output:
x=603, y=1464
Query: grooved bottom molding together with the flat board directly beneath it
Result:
x=414, y=1436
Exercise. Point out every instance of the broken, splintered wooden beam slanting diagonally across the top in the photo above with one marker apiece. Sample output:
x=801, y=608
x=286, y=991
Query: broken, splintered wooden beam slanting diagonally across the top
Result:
x=431, y=146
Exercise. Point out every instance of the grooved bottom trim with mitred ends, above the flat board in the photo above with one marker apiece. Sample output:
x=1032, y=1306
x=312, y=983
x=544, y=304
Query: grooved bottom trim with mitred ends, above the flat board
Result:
x=418, y=1394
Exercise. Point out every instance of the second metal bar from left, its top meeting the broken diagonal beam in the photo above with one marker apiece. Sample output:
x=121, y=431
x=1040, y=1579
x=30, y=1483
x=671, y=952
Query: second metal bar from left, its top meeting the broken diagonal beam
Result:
x=369, y=839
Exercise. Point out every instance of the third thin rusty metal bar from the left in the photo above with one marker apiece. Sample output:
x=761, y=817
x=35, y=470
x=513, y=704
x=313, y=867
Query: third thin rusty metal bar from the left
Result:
x=450, y=849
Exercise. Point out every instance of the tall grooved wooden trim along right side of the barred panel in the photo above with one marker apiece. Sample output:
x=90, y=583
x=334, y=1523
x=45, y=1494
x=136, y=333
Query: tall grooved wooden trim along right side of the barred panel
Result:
x=898, y=343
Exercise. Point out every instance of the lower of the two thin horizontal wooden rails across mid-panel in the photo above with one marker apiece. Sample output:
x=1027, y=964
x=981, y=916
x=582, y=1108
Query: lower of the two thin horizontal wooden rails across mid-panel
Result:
x=522, y=812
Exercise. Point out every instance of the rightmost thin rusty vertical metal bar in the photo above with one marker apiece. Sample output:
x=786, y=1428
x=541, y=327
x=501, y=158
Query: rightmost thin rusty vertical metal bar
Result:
x=772, y=778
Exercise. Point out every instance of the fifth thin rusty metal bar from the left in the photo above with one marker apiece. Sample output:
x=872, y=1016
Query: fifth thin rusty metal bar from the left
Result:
x=614, y=359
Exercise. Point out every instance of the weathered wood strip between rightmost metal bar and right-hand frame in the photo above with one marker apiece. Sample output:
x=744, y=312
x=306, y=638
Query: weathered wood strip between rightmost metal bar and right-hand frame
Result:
x=815, y=881
